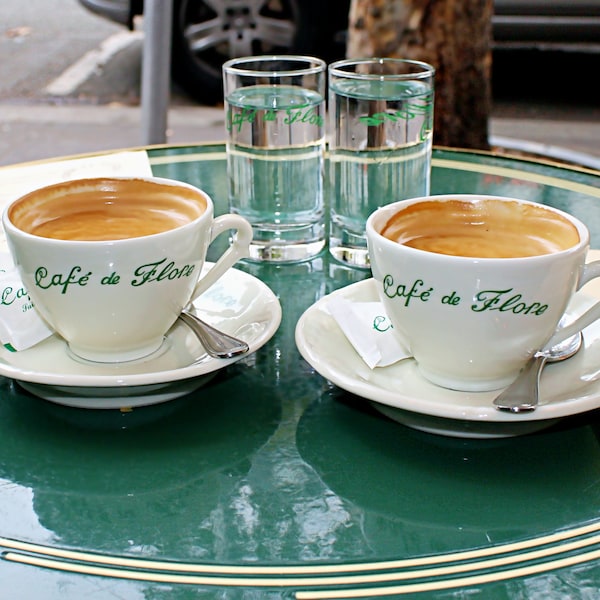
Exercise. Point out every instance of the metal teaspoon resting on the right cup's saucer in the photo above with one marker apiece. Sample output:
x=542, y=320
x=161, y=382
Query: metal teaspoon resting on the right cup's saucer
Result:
x=522, y=395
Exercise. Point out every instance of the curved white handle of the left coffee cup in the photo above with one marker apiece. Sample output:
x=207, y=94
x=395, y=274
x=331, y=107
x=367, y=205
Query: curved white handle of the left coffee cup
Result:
x=240, y=248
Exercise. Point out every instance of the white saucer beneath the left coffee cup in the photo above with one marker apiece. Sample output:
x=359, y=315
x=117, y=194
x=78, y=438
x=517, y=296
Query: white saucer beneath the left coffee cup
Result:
x=238, y=303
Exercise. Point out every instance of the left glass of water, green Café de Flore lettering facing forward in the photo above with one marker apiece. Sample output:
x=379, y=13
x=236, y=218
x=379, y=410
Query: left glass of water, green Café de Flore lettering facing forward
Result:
x=275, y=119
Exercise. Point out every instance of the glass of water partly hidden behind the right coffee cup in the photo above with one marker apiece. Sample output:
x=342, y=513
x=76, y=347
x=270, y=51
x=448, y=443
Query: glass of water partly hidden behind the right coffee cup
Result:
x=381, y=129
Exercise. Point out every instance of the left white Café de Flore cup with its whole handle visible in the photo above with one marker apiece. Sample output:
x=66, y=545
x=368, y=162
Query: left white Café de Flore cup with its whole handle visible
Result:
x=113, y=283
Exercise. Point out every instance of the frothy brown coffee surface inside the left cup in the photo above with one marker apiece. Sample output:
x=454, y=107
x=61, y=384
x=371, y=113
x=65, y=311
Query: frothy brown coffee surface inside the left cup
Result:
x=103, y=210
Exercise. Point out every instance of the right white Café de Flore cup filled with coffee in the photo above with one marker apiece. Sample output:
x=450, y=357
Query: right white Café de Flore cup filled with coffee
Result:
x=472, y=305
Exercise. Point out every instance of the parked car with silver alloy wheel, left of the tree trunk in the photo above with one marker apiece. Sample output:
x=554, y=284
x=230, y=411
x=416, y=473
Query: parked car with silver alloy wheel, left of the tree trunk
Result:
x=205, y=33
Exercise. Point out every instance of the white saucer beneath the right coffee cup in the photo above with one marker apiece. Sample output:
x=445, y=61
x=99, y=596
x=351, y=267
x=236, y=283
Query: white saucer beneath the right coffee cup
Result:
x=401, y=393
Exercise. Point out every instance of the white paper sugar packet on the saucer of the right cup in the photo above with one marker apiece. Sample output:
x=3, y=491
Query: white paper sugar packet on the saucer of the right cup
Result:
x=369, y=330
